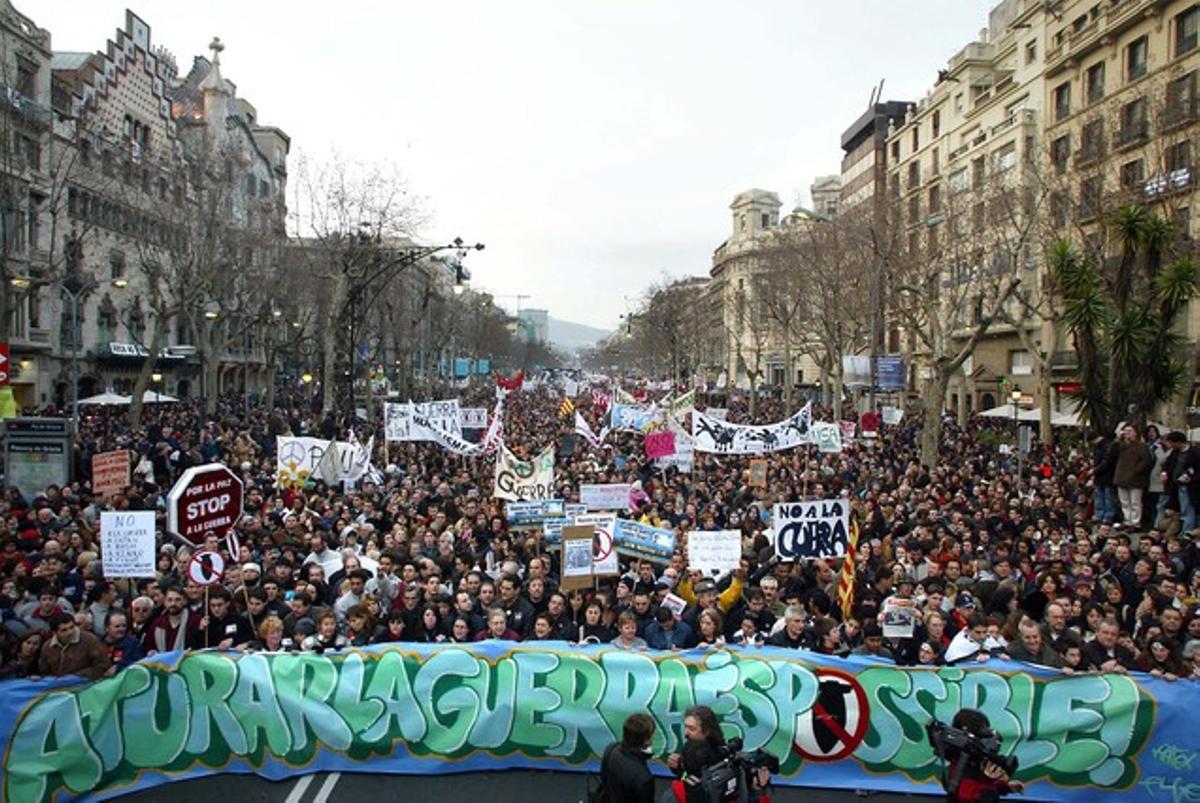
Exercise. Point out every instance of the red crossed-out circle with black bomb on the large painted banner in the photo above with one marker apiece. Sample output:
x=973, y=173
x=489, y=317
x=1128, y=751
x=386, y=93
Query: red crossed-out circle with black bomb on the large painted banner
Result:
x=837, y=723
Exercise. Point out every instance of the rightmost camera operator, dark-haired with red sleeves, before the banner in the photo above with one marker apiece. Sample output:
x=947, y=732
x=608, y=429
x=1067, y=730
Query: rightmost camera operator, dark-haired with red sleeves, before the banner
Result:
x=977, y=770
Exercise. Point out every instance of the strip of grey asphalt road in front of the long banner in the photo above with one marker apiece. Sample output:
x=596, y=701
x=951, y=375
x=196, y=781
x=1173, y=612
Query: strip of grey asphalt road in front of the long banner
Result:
x=482, y=787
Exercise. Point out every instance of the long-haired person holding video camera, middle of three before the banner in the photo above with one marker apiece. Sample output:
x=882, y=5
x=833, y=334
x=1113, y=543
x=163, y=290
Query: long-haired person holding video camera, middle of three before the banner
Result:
x=712, y=771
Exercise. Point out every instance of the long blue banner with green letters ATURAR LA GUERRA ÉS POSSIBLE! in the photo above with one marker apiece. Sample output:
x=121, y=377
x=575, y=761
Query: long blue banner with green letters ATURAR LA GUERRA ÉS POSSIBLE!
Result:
x=439, y=709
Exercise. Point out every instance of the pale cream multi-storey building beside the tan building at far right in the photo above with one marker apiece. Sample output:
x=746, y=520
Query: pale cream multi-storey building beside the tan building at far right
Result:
x=965, y=184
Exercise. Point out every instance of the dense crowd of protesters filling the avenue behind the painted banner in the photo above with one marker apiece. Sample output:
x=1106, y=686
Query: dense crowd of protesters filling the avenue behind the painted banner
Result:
x=1084, y=560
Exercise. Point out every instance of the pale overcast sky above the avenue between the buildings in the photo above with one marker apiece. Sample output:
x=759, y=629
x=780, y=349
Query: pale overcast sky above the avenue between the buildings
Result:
x=592, y=146
